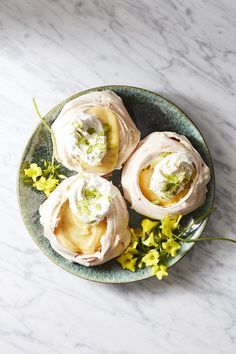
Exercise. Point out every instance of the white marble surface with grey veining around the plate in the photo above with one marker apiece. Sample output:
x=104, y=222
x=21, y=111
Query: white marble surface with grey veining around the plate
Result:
x=184, y=50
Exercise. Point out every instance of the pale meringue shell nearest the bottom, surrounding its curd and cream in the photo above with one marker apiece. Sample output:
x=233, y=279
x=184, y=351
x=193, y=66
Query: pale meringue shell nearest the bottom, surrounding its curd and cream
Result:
x=115, y=240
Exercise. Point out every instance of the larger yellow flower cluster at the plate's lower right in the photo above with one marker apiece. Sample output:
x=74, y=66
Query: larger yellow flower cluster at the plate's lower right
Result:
x=152, y=245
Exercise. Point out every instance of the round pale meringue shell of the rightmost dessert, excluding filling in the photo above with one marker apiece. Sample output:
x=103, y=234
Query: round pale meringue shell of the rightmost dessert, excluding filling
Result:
x=147, y=151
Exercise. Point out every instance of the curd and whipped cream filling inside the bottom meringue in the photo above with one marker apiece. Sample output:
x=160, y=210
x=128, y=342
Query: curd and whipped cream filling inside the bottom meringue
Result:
x=82, y=219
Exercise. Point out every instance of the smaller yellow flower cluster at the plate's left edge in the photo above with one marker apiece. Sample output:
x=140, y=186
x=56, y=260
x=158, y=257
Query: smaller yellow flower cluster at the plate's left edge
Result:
x=45, y=178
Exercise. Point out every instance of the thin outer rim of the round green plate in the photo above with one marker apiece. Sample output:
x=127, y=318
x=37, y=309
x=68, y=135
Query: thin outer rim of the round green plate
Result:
x=78, y=94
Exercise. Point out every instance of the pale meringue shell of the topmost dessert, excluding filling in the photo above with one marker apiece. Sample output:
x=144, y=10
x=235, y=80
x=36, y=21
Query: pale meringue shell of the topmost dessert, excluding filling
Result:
x=129, y=135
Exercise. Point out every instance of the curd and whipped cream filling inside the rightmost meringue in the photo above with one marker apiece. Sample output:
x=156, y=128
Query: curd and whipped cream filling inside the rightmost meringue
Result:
x=167, y=179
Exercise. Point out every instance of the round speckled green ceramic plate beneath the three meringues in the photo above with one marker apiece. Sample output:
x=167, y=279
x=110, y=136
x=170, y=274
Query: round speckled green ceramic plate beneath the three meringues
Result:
x=150, y=112
